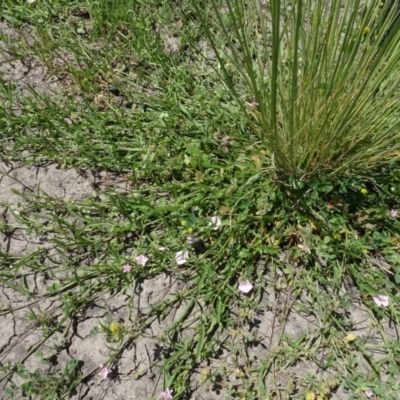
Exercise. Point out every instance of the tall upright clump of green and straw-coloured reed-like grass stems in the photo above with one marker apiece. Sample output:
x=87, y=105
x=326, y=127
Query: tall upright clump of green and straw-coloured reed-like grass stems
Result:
x=318, y=80
